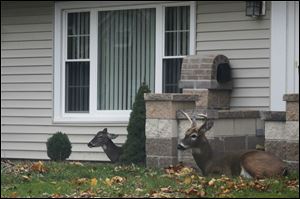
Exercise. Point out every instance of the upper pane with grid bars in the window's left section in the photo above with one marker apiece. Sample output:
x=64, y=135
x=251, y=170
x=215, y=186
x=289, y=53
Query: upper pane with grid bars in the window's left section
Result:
x=78, y=35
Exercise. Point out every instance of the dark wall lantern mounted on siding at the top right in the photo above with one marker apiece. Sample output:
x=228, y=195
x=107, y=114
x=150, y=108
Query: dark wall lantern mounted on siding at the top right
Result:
x=255, y=8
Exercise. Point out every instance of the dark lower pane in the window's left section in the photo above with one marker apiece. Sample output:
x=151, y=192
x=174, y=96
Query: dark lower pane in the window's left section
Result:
x=77, y=86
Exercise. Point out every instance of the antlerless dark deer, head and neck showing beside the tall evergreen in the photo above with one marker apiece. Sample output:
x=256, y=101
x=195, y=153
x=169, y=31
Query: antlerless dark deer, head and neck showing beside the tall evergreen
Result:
x=103, y=139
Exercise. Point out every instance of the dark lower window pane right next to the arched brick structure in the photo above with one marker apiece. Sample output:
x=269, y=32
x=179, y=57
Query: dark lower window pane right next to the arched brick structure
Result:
x=171, y=75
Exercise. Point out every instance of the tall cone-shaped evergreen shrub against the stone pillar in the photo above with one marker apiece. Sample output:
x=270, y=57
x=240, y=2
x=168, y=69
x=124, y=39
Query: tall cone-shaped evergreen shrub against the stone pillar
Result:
x=134, y=147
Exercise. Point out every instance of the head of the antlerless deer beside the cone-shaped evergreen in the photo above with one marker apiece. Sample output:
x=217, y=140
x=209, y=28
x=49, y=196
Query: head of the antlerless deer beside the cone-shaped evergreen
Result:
x=101, y=138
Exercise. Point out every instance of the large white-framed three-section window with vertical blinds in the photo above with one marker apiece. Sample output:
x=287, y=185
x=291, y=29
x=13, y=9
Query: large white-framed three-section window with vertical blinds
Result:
x=103, y=54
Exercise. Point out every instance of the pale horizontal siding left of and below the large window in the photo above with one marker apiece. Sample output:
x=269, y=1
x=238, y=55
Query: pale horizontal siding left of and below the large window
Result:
x=27, y=87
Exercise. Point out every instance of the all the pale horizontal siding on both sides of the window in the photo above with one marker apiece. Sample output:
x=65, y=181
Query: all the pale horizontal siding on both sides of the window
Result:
x=27, y=73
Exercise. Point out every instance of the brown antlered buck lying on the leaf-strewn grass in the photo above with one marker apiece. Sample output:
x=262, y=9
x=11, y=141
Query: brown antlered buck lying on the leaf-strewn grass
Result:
x=250, y=164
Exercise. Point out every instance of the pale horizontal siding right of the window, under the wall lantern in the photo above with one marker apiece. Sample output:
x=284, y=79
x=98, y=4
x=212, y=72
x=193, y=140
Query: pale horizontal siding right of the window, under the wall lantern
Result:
x=223, y=28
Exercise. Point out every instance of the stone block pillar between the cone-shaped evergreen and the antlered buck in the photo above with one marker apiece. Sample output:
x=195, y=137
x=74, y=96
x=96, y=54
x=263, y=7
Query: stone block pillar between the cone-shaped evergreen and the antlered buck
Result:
x=162, y=127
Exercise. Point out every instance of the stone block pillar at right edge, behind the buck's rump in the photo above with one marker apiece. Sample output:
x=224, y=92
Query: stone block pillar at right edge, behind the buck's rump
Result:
x=282, y=137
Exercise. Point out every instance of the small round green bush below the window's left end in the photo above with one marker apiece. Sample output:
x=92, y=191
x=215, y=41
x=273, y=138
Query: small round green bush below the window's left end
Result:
x=59, y=147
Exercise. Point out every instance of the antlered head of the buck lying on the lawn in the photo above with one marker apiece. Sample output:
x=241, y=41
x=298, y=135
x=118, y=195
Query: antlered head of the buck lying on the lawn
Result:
x=195, y=136
